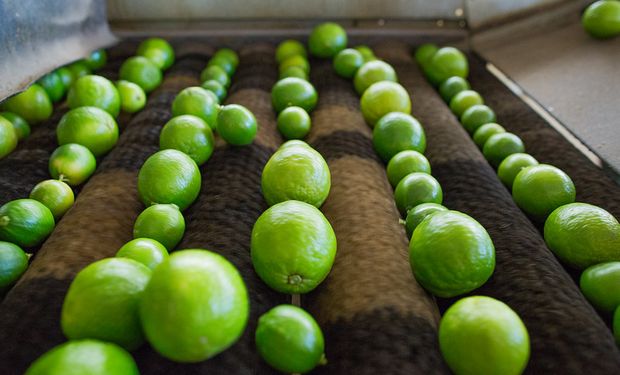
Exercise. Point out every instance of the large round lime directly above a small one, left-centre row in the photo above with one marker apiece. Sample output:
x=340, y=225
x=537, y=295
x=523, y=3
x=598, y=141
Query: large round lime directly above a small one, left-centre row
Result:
x=169, y=176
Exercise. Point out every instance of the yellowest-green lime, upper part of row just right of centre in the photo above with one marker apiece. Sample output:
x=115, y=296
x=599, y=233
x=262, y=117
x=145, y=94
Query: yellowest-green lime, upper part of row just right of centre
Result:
x=382, y=98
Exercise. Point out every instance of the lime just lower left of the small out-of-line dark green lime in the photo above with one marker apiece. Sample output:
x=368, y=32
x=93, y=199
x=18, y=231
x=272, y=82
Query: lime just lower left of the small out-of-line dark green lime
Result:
x=189, y=134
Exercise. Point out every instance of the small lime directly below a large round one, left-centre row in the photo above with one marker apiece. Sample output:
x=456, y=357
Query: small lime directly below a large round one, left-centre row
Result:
x=163, y=223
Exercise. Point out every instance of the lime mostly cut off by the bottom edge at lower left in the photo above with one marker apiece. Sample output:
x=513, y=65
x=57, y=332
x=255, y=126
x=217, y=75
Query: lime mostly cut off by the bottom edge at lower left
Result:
x=83, y=357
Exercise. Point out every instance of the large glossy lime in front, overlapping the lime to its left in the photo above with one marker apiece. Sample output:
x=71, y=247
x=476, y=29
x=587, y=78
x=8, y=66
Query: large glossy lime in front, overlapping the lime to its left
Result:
x=195, y=306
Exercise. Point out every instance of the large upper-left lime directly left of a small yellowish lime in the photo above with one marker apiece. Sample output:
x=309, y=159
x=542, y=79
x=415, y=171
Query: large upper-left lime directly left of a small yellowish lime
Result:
x=94, y=91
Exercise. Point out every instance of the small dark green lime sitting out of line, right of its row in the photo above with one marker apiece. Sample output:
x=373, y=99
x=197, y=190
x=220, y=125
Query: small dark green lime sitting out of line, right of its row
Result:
x=236, y=125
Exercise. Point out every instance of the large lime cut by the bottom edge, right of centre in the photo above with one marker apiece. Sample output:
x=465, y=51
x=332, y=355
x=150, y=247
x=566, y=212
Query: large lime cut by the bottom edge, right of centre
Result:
x=483, y=336
